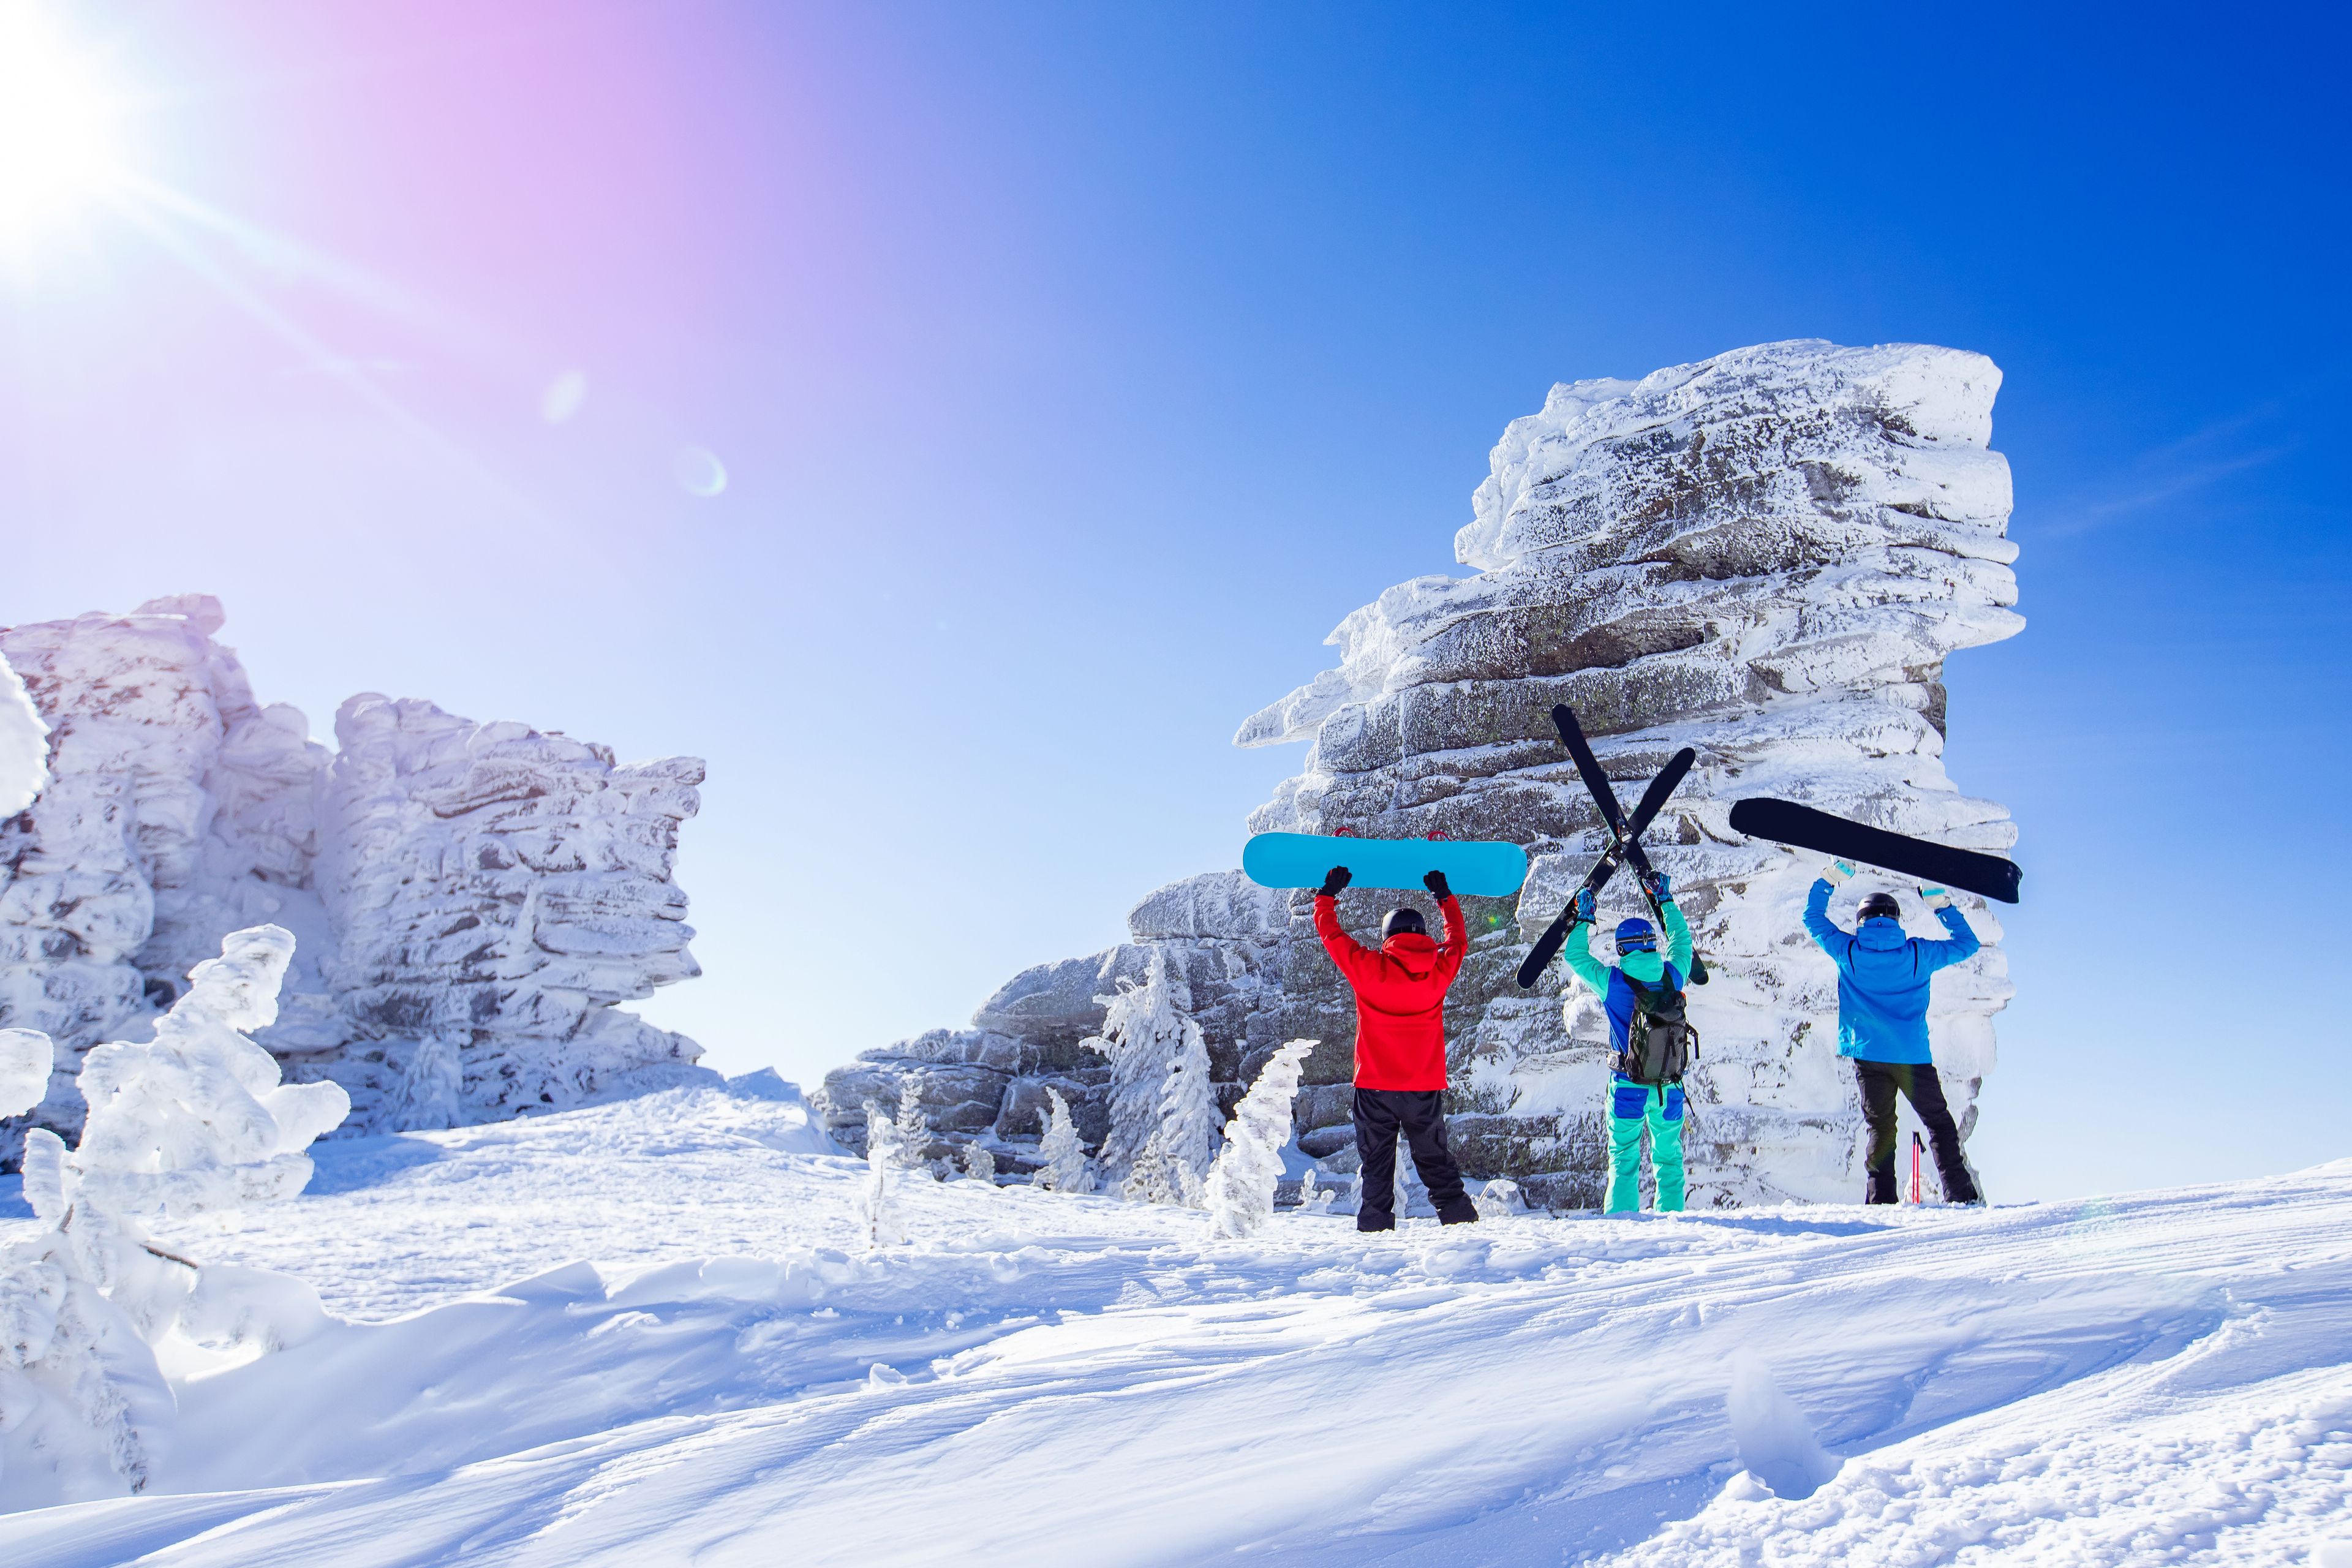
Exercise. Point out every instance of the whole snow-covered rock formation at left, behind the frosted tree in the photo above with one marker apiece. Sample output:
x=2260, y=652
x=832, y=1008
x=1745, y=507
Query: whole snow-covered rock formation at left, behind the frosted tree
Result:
x=472, y=902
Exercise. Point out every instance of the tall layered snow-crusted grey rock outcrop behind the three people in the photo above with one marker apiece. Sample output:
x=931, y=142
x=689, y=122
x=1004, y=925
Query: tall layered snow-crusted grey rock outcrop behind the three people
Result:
x=1768, y=558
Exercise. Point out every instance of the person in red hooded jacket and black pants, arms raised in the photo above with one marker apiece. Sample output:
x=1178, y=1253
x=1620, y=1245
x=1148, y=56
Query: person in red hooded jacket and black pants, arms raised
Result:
x=1401, y=1047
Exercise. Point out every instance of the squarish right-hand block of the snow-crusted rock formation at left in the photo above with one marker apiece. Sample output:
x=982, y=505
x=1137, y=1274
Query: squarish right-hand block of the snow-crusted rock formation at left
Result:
x=495, y=894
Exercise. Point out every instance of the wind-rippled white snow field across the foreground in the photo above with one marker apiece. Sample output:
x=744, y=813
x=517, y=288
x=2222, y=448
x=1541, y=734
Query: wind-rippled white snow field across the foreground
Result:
x=650, y=1334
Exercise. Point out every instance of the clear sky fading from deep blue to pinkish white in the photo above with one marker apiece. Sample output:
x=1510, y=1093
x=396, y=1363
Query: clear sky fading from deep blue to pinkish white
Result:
x=1078, y=368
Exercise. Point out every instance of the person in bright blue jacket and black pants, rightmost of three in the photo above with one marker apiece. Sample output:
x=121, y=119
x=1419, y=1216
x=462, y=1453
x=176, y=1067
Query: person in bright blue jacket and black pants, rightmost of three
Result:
x=1883, y=991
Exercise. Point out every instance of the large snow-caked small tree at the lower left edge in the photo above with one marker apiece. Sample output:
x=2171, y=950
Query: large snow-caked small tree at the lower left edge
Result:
x=192, y=1123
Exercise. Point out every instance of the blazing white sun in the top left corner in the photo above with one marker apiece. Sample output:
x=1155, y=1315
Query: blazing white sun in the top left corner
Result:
x=58, y=126
